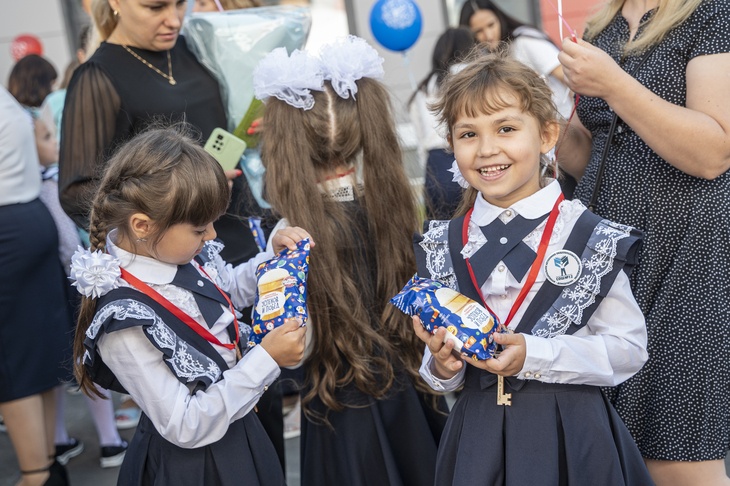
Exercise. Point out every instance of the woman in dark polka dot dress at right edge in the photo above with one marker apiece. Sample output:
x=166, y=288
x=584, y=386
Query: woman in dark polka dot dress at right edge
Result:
x=665, y=173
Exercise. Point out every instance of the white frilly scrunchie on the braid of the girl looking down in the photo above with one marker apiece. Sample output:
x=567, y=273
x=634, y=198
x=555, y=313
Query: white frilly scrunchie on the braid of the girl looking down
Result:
x=94, y=274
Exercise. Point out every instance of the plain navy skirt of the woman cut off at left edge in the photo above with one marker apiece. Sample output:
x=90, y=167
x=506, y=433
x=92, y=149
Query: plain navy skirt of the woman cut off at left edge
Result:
x=35, y=322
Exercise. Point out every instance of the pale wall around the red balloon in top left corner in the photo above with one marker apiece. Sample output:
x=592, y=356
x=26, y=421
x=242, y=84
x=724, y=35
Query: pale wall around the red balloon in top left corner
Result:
x=41, y=18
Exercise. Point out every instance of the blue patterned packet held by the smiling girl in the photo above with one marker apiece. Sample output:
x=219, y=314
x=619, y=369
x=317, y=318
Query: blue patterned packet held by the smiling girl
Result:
x=470, y=326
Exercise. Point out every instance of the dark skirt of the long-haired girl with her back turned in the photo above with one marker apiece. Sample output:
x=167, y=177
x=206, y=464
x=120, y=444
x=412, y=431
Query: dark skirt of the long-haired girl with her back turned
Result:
x=388, y=442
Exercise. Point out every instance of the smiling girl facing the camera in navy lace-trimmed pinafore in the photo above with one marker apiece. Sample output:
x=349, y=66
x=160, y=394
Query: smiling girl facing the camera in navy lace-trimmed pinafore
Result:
x=555, y=274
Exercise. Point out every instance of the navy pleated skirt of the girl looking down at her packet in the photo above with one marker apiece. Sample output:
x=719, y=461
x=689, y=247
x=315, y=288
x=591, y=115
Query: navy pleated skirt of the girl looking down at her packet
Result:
x=243, y=456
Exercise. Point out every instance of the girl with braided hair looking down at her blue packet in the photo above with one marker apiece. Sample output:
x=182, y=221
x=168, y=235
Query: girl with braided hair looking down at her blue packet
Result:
x=158, y=318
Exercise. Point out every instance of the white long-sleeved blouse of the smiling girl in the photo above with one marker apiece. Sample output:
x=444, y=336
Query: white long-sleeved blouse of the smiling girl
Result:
x=608, y=350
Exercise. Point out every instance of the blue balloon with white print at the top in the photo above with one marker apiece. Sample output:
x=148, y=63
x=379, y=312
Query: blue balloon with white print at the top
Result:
x=396, y=24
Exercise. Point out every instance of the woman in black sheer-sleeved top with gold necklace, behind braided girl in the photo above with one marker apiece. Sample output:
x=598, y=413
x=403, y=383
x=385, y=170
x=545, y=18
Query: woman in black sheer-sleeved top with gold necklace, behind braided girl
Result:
x=142, y=72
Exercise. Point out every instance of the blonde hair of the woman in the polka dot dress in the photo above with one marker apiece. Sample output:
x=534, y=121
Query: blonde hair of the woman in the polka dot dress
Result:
x=668, y=16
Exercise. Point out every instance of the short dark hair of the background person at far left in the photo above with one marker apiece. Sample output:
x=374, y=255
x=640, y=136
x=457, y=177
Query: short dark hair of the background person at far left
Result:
x=31, y=80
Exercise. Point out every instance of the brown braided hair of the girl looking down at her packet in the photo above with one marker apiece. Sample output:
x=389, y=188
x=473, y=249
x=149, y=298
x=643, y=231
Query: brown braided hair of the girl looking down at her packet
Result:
x=161, y=173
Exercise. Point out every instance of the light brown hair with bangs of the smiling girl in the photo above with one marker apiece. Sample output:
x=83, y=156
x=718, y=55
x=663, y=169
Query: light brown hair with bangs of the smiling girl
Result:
x=485, y=85
